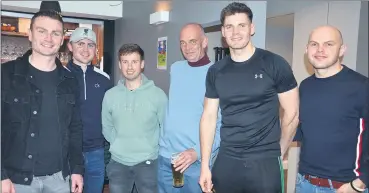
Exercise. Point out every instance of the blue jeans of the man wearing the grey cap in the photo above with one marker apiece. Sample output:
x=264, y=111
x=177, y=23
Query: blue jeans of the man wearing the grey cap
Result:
x=94, y=171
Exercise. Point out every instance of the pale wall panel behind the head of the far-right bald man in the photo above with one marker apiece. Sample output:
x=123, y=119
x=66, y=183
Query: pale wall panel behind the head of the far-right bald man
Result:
x=324, y=13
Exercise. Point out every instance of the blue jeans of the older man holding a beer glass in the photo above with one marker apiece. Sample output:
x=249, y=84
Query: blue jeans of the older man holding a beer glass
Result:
x=165, y=178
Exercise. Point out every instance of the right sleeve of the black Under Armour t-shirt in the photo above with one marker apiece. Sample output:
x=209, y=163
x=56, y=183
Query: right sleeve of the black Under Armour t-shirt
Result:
x=284, y=79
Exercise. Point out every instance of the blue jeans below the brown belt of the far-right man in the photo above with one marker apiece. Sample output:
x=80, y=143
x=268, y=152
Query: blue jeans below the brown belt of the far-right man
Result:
x=303, y=186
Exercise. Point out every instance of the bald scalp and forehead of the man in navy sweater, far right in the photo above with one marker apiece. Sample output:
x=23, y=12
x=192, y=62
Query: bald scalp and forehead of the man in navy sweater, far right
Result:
x=328, y=33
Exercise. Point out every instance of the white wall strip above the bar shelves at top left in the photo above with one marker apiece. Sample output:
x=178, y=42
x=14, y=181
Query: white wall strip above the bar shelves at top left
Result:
x=87, y=9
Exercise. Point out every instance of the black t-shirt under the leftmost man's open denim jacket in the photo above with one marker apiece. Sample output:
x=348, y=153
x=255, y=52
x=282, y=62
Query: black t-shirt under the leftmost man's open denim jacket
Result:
x=48, y=158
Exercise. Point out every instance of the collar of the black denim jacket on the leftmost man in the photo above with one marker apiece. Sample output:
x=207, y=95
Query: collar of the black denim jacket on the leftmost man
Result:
x=22, y=67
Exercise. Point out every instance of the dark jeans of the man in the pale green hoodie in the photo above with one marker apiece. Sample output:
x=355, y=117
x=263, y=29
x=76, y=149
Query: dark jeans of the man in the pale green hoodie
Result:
x=143, y=176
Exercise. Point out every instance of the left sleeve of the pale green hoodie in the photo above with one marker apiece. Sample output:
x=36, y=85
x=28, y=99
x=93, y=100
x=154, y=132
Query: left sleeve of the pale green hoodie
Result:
x=107, y=120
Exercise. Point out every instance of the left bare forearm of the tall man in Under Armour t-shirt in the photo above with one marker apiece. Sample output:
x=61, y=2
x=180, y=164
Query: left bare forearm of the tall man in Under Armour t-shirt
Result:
x=207, y=132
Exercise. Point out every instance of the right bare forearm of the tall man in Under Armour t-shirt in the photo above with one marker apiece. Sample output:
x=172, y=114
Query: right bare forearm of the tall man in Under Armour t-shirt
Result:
x=289, y=126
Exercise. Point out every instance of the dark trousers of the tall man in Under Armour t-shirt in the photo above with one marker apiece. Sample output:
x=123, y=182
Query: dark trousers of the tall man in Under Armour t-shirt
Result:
x=264, y=175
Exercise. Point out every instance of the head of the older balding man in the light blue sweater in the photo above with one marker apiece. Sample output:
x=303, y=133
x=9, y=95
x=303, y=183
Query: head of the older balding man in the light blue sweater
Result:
x=193, y=42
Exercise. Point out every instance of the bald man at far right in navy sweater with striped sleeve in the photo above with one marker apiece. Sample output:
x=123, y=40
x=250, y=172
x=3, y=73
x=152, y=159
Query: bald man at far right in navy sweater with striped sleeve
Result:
x=333, y=113
